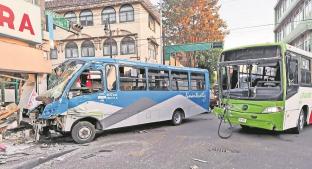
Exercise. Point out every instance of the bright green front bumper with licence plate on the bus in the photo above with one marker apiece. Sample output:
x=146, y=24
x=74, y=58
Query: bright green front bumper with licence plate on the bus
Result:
x=272, y=121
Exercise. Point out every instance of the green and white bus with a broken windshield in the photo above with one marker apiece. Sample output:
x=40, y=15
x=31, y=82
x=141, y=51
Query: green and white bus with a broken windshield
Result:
x=266, y=86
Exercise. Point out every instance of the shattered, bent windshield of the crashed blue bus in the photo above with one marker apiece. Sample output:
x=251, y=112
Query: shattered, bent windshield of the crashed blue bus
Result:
x=60, y=76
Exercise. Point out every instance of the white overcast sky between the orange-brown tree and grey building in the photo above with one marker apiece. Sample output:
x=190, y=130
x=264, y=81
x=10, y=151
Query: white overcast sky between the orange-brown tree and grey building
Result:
x=246, y=13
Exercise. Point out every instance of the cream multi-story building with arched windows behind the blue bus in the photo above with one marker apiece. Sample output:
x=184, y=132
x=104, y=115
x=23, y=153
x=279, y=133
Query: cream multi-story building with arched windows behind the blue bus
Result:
x=135, y=26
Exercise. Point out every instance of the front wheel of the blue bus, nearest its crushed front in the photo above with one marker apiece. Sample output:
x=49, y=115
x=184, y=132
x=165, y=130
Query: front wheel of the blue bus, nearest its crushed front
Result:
x=83, y=132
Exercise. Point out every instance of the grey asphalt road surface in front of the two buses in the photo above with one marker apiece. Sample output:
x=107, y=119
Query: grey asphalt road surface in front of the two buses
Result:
x=162, y=146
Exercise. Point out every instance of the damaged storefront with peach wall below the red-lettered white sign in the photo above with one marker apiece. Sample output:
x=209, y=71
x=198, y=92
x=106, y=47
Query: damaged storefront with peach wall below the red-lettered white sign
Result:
x=22, y=59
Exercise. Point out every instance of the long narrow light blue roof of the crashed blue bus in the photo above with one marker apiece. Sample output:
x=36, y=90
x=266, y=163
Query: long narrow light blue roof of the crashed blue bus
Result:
x=123, y=61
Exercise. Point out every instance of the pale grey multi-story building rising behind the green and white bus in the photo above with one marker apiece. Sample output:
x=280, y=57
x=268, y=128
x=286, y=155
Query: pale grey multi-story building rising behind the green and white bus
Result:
x=293, y=23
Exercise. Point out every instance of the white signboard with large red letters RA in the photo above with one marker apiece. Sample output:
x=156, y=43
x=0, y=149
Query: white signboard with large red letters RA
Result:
x=20, y=20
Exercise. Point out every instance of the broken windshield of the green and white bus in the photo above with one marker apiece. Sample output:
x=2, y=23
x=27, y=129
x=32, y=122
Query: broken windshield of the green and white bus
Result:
x=259, y=81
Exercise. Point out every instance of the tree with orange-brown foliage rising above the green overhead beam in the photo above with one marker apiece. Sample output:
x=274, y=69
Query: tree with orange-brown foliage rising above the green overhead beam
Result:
x=192, y=21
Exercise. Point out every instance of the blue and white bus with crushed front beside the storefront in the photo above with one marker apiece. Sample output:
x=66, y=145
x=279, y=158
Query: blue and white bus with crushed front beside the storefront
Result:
x=86, y=95
